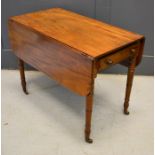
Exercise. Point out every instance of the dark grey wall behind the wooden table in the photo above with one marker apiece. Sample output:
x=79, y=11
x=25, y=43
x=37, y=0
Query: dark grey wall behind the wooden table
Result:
x=133, y=15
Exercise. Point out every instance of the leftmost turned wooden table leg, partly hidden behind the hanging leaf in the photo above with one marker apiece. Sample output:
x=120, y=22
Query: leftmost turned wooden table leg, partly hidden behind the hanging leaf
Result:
x=22, y=75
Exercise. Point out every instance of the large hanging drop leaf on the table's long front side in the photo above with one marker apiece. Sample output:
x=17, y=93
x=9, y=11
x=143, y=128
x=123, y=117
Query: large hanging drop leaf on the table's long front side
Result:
x=57, y=60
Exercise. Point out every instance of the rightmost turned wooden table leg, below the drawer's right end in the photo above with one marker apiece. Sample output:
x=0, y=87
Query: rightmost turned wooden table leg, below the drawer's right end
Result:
x=131, y=70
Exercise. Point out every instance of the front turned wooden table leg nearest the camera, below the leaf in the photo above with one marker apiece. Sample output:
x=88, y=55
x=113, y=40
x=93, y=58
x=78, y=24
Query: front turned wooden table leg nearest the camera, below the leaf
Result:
x=89, y=106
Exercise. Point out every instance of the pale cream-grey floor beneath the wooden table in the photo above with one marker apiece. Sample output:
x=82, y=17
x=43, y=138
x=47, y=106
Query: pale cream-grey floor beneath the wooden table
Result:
x=50, y=120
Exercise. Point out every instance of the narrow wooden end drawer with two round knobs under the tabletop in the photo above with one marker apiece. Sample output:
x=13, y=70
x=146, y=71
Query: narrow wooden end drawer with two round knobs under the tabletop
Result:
x=116, y=57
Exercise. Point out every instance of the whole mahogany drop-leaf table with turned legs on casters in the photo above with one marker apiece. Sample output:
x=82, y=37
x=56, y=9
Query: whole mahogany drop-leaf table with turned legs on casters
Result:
x=72, y=49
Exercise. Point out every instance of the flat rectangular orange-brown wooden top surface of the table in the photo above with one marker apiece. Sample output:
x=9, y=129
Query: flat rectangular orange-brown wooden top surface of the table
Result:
x=88, y=36
